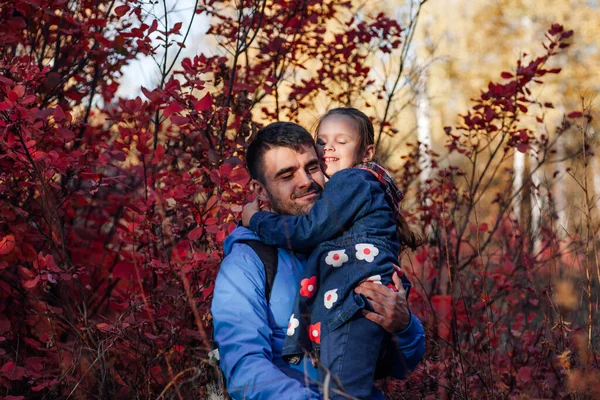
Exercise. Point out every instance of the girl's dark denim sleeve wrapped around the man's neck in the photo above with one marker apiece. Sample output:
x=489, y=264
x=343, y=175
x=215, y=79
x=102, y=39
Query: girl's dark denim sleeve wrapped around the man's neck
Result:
x=346, y=197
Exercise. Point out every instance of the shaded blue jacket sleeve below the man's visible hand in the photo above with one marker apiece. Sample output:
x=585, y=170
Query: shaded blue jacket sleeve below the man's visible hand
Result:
x=411, y=342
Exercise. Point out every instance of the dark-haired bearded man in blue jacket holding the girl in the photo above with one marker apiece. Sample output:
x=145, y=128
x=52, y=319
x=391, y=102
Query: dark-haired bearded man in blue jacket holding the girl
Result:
x=249, y=330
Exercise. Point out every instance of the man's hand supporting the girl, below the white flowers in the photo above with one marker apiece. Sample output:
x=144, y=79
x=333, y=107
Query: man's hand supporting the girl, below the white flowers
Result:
x=390, y=306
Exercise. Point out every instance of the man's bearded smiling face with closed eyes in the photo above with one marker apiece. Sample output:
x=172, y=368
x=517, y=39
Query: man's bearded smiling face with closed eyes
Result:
x=294, y=180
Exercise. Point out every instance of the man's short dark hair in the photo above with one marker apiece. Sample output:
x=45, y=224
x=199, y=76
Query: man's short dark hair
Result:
x=277, y=134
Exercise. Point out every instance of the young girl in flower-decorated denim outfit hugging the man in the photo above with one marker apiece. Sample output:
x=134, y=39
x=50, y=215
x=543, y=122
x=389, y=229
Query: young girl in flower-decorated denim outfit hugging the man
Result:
x=354, y=233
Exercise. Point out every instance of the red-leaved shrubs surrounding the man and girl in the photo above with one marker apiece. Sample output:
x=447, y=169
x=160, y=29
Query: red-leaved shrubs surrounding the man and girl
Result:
x=113, y=212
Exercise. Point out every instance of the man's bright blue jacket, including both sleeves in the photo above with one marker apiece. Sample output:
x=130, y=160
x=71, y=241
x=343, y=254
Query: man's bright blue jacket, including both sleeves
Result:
x=250, y=333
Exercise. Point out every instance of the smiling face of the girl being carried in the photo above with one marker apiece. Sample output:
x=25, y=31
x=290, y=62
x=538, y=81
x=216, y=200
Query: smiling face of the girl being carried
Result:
x=338, y=140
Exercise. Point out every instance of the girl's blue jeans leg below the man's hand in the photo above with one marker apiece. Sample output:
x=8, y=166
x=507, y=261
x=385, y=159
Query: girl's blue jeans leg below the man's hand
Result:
x=350, y=354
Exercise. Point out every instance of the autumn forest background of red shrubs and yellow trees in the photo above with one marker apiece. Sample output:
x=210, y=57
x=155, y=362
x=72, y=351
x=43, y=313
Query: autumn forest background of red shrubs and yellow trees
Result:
x=116, y=194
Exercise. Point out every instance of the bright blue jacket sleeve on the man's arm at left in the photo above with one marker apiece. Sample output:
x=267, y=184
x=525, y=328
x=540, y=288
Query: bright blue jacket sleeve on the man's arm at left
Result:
x=243, y=334
